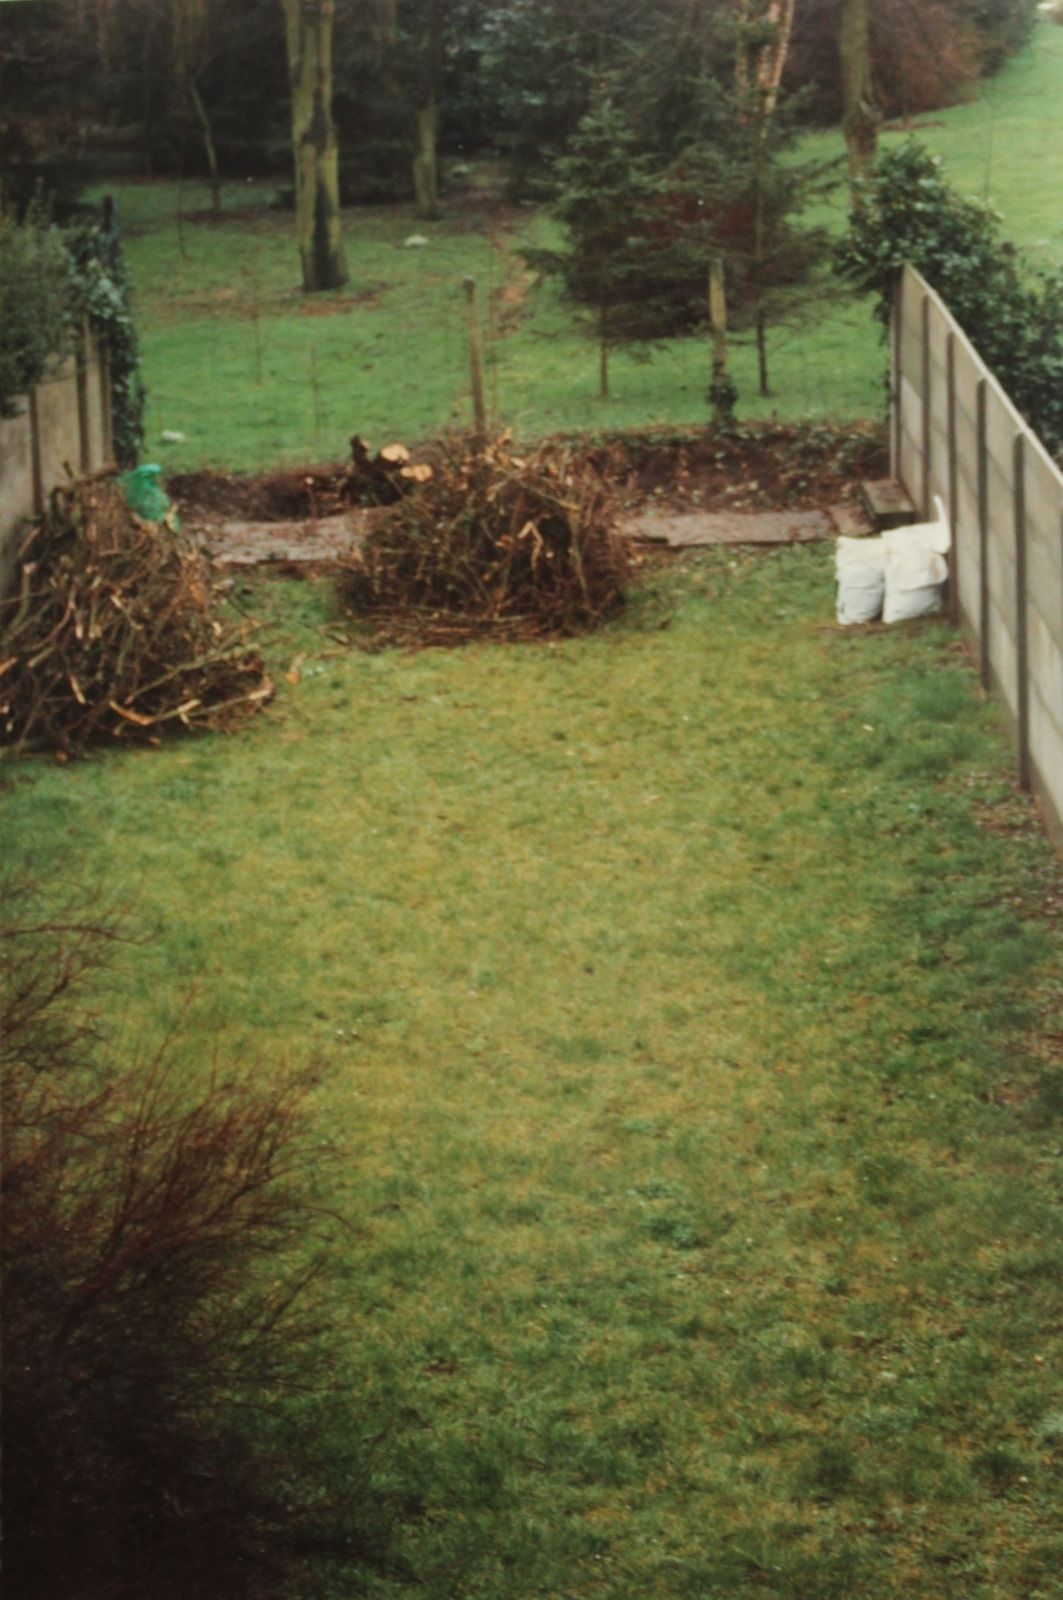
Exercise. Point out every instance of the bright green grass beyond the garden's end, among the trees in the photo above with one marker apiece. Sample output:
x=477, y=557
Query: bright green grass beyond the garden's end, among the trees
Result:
x=390, y=353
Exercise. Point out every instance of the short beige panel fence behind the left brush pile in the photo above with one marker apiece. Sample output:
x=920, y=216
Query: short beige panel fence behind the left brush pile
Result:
x=63, y=431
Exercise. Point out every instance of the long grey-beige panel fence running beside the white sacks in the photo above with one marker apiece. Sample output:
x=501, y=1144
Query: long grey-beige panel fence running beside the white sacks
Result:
x=957, y=434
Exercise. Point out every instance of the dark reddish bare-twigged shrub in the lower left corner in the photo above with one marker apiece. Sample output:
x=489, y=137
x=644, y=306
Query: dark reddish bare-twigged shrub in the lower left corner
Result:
x=166, y=1356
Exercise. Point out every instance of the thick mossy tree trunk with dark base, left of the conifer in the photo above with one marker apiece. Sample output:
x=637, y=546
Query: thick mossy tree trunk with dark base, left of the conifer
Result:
x=310, y=26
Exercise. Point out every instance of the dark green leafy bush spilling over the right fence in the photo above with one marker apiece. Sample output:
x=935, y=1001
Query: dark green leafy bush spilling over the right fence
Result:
x=1011, y=310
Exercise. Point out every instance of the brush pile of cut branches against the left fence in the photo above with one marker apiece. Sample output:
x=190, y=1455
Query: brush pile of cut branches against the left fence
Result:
x=113, y=633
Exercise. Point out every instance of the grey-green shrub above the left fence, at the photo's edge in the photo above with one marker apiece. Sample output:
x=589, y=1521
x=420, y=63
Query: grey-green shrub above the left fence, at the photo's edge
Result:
x=36, y=305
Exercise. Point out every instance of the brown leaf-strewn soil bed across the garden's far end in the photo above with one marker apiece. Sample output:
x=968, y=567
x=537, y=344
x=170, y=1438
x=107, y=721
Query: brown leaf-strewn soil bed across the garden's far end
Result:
x=755, y=470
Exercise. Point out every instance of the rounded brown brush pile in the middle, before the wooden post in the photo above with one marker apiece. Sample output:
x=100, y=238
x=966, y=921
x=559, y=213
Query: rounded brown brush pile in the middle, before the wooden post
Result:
x=495, y=546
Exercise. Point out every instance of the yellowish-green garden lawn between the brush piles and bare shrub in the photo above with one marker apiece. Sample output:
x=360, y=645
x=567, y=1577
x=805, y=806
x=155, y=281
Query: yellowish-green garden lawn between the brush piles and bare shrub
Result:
x=684, y=999
